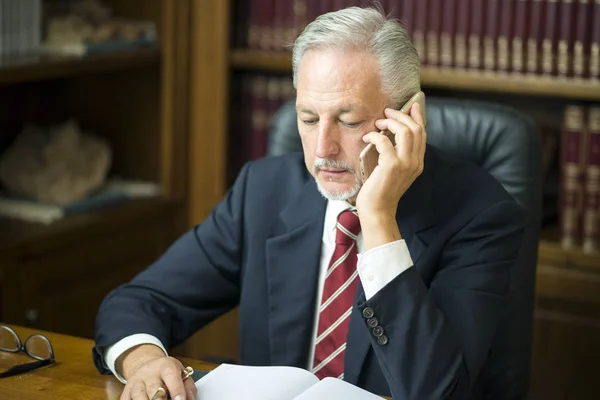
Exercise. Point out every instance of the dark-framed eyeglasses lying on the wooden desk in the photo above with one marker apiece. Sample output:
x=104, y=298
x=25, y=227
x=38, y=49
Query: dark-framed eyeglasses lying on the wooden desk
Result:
x=36, y=346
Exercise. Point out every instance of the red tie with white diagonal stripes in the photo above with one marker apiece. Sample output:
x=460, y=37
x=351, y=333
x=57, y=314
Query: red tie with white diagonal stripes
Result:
x=339, y=290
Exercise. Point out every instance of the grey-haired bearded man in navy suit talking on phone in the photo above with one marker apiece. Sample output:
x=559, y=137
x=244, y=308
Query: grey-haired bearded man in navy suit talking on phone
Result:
x=395, y=285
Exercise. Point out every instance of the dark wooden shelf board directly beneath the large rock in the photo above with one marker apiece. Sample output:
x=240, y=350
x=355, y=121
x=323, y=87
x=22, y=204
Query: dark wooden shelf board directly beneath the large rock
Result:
x=17, y=235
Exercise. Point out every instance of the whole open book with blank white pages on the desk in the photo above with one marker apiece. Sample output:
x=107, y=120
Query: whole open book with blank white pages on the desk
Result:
x=234, y=382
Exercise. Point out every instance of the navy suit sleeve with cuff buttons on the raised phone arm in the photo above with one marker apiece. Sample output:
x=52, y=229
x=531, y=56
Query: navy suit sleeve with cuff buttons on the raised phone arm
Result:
x=432, y=342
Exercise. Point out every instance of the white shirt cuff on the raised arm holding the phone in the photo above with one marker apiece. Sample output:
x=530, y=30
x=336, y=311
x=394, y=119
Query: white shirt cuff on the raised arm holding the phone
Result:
x=379, y=266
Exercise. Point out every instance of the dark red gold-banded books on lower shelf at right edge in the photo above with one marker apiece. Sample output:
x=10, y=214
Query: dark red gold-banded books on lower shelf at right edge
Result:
x=580, y=178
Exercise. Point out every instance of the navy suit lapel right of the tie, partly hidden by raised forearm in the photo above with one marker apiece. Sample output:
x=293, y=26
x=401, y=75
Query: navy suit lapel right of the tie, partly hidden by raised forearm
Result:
x=414, y=215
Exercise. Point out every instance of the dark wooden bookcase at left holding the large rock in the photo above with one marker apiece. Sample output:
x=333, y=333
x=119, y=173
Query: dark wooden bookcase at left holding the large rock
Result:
x=54, y=276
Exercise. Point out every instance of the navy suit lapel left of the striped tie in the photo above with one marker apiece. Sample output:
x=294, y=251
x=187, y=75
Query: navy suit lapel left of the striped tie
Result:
x=293, y=257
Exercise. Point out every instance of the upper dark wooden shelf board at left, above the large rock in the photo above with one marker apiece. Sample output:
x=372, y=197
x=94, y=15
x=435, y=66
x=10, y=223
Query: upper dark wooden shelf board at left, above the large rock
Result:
x=26, y=69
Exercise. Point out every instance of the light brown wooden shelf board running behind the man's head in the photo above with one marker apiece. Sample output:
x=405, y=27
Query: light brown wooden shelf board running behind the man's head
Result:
x=448, y=78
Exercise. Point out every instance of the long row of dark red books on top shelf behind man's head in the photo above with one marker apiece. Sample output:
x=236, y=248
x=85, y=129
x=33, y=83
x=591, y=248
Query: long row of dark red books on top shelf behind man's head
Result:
x=540, y=37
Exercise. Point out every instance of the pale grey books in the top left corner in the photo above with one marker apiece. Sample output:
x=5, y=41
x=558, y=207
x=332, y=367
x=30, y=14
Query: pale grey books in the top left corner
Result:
x=20, y=27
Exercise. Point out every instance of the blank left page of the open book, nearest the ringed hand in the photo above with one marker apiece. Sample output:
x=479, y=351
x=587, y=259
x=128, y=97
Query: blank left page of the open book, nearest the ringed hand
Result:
x=235, y=382
